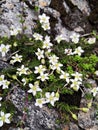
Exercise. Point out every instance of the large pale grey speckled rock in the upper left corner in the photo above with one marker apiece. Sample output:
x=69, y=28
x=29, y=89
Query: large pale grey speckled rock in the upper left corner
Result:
x=12, y=11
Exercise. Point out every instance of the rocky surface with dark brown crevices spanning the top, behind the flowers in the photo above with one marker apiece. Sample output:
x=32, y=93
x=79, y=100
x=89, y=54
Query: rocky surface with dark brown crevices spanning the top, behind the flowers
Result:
x=71, y=15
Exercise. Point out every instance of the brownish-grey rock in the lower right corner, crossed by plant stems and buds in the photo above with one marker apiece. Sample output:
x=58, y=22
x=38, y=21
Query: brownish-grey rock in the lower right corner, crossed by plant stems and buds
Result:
x=89, y=119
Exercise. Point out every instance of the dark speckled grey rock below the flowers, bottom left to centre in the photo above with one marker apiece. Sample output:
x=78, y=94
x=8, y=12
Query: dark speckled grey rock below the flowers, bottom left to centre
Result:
x=35, y=118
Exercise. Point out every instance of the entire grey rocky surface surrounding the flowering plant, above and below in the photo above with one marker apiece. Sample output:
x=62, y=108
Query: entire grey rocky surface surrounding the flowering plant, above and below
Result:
x=80, y=16
